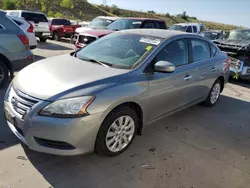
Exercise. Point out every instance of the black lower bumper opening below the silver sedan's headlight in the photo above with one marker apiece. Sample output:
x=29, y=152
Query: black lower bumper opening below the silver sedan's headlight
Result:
x=54, y=144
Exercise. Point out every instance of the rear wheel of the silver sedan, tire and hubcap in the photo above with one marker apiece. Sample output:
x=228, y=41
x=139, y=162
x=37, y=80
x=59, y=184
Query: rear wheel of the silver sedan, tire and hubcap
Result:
x=214, y=92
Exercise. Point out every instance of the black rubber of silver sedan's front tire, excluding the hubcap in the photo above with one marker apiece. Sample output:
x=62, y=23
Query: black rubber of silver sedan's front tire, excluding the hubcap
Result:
x=100, y=145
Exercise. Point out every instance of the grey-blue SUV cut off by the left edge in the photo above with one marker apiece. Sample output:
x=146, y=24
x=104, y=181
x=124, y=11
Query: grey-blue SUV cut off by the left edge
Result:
x=14, y=48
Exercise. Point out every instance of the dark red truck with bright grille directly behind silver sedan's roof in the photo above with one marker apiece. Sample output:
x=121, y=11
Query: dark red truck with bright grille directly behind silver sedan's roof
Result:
x=90, y=36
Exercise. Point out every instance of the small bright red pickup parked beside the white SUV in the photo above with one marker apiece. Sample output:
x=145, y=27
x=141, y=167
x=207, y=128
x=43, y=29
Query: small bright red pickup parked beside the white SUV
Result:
x=61, y=28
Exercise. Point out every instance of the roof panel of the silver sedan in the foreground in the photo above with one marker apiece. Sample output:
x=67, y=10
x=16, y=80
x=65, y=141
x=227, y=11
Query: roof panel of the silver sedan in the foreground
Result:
x=161, y=33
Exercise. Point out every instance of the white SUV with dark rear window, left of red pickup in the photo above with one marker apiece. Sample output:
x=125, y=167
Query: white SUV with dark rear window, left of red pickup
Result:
x=38, y=19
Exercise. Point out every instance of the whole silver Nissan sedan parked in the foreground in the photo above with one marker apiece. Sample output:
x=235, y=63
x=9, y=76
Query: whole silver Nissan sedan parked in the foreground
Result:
x=99, y=98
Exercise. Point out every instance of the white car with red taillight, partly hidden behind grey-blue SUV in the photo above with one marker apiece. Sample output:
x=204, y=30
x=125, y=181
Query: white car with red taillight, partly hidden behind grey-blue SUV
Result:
x=28, y=28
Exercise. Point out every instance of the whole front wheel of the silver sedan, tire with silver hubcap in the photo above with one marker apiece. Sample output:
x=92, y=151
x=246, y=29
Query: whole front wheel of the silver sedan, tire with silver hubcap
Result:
x=117, y=138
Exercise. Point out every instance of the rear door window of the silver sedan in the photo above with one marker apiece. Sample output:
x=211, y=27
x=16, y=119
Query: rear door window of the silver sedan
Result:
x=200, y=50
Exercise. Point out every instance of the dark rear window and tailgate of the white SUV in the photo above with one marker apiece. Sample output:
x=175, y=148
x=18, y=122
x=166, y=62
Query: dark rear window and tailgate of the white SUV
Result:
x=39, y=21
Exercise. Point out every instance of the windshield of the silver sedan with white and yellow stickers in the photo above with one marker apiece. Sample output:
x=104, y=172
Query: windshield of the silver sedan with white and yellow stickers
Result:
x=134, y=49
